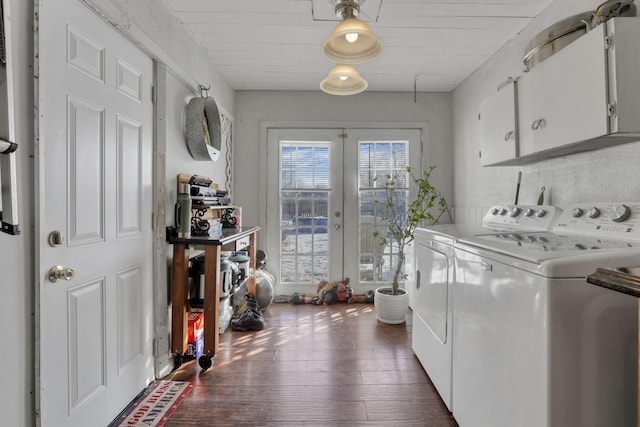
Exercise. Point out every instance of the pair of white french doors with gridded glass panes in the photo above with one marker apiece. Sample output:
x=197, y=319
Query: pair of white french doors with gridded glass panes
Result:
x=323, y=193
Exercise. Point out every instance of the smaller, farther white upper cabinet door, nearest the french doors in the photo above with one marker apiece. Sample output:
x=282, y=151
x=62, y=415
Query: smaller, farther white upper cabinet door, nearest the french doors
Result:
x=498, y=127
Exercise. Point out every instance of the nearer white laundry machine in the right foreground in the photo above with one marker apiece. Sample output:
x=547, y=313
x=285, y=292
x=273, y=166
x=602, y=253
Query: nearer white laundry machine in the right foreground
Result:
x=534, y=343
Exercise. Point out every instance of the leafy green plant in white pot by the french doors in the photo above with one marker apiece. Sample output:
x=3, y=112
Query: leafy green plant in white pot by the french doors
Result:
x=401, y=216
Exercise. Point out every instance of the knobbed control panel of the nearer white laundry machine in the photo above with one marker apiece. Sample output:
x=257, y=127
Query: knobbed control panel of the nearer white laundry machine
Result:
x=612, y=220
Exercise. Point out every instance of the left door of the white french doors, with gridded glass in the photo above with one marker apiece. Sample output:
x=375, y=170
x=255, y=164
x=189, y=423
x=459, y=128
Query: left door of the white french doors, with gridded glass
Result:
x=305, y=205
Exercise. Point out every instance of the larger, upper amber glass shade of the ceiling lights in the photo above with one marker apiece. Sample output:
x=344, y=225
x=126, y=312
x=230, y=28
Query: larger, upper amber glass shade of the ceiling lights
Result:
x=338, y=49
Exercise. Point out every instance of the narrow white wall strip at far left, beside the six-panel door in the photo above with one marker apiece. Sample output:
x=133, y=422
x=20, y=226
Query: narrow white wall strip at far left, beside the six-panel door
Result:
x=16, y=252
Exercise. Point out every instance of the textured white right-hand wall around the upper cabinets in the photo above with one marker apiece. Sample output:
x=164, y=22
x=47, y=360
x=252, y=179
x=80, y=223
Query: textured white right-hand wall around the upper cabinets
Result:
x=610, y=174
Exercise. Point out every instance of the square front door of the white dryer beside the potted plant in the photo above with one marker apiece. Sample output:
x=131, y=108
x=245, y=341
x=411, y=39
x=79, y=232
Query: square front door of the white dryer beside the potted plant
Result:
x=432, y=286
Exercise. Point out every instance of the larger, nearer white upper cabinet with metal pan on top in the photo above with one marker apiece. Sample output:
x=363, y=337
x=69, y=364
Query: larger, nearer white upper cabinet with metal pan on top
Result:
x=585, y=97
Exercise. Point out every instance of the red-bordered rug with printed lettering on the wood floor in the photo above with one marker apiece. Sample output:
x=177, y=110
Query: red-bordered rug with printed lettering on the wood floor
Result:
x=154, y=407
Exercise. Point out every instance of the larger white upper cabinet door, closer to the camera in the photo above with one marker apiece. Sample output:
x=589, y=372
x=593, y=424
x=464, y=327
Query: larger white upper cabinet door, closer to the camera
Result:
x=568, y=96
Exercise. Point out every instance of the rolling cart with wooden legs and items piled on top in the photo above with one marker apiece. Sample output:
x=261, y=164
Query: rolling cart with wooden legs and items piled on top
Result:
x=209, y=226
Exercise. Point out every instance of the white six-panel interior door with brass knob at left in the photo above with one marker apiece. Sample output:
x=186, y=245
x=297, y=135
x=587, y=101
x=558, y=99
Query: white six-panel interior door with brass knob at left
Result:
x=95, y=202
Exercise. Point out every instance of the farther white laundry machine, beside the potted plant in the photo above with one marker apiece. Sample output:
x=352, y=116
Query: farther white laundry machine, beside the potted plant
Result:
x=434, y=282
